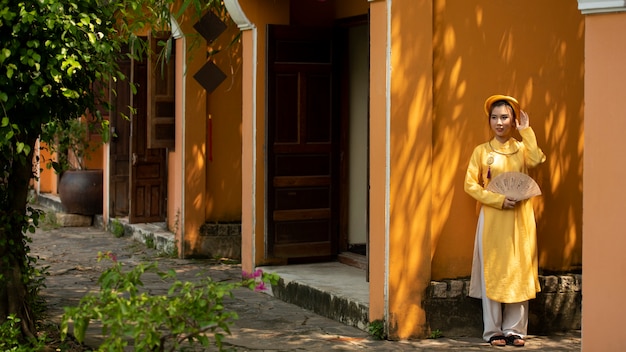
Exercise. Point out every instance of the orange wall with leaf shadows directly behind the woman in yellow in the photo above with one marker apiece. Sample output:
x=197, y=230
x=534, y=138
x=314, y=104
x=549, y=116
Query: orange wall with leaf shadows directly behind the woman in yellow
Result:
x=518, y=48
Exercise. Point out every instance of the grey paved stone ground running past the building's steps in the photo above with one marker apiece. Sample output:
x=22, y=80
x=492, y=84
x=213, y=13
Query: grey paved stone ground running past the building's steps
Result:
x=265, y=323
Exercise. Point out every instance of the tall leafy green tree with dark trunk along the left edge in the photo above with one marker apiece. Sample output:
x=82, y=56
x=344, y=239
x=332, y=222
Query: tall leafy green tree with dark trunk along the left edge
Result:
x=58, y=59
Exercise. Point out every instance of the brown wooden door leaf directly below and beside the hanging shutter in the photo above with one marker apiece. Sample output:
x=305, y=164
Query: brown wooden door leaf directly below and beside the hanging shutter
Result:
x=148, y=173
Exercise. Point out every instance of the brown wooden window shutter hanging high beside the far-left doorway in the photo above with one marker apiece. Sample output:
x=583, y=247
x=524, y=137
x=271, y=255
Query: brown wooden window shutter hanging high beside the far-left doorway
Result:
x=161, y=107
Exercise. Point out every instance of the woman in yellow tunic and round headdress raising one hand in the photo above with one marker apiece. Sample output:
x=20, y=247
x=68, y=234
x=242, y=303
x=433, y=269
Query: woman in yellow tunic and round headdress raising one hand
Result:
x=504, y=269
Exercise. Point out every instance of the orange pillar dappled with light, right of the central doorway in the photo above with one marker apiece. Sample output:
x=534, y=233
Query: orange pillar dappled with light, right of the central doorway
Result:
x=409, y=162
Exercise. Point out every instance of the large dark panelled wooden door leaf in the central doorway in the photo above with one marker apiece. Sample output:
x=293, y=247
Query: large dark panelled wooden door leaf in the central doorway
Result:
x=302, y=134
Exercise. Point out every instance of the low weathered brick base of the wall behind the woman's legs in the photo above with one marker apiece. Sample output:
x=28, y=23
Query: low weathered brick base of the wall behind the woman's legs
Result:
x=556, y=308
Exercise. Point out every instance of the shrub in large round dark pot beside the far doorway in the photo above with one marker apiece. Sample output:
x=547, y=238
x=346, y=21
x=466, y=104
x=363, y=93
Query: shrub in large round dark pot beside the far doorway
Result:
x=80, y=189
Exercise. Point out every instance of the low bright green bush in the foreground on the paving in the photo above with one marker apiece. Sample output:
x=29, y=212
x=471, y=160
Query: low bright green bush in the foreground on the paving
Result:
x=189, y=312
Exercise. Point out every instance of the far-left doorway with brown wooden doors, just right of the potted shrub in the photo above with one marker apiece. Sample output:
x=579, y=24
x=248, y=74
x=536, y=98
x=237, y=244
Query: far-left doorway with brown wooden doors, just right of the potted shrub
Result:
x=138, y=173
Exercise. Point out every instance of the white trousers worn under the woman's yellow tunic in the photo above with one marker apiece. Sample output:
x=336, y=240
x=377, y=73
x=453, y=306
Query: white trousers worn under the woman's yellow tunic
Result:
x=499, y=318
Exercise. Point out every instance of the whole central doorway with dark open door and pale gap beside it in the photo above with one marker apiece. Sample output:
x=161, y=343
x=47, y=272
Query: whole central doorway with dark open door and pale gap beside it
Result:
x=317, y=138
